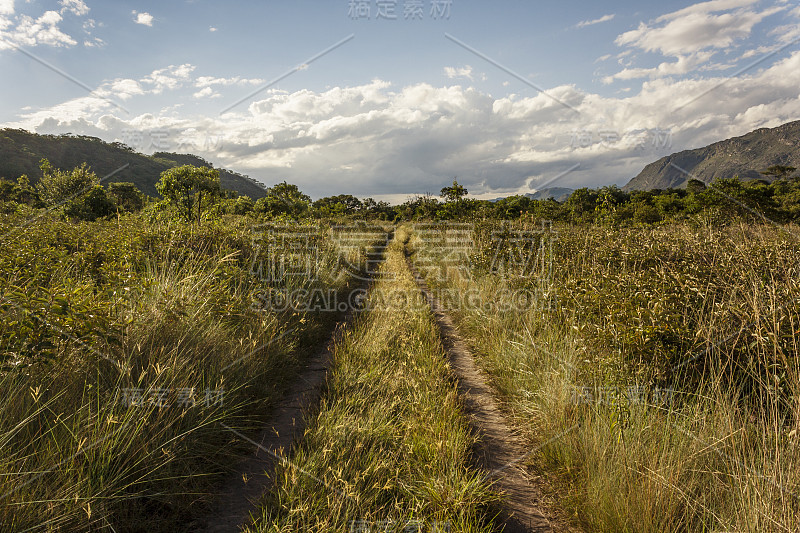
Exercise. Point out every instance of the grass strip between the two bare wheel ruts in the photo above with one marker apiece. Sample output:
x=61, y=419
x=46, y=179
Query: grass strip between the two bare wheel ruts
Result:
x=389, y=445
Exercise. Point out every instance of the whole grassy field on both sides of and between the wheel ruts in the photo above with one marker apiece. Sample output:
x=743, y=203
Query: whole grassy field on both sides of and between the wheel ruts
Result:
x=649, y=370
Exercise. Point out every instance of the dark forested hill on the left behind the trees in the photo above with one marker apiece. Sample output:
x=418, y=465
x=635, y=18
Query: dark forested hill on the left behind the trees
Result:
x=21, y=151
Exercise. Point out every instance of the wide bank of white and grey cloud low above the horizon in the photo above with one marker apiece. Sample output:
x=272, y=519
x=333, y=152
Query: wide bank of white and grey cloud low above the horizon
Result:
x=382, y=139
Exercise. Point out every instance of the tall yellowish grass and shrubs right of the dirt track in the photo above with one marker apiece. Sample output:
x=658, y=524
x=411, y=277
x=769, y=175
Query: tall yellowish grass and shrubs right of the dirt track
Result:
x=709, y=312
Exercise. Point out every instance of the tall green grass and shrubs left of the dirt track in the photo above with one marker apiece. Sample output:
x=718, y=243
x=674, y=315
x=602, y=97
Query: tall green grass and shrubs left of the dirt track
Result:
x=125, y=347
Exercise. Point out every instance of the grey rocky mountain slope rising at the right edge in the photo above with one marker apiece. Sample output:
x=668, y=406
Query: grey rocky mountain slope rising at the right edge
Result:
x=741, y=156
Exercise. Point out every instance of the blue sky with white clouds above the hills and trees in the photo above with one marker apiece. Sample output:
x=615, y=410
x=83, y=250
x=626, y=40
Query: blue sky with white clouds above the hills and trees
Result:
x=392, y=98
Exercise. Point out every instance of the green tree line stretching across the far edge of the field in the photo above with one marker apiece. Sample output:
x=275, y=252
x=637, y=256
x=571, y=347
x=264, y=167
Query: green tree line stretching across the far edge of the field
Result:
x=193, y=193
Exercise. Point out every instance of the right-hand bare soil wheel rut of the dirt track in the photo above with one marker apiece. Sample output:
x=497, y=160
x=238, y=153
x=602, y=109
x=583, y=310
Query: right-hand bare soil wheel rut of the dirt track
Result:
x=499, y=451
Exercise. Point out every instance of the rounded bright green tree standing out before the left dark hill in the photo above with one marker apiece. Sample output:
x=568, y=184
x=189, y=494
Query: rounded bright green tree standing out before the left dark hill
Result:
x=190, y=189
